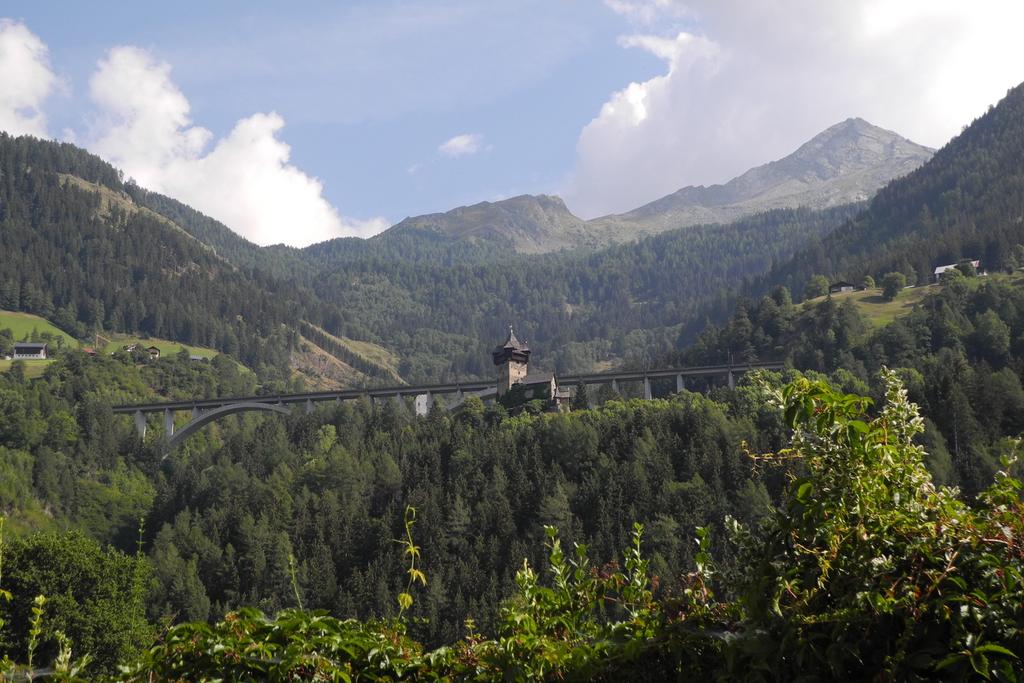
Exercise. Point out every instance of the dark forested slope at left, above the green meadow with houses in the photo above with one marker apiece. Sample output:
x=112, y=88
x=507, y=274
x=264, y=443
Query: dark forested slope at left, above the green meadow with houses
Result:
x=82, y=254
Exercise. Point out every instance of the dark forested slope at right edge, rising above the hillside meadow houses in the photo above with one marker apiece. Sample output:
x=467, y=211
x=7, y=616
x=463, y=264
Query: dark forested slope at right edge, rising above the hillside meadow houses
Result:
x=967, y=202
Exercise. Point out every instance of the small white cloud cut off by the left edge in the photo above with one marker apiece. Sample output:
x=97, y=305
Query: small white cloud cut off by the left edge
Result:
x=26, y=80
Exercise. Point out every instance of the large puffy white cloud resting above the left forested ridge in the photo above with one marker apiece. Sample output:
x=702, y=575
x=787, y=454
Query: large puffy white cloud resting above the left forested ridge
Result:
x=245, y=181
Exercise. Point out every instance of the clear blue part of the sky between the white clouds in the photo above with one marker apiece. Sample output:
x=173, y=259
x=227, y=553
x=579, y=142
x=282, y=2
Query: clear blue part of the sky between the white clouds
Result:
x=369, y=92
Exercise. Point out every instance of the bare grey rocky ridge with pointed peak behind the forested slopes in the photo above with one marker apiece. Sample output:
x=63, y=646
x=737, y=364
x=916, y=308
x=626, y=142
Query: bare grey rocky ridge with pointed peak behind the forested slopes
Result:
x=844, y=164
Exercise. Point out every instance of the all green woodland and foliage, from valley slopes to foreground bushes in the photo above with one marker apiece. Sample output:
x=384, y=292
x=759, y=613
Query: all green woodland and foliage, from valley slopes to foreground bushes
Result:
x=856, y=517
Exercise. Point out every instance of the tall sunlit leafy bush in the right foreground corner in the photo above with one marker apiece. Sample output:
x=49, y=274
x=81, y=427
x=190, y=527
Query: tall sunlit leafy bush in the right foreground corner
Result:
x=873, y=572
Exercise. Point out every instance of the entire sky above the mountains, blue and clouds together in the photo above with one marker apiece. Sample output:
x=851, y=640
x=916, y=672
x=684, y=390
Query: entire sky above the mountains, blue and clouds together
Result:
x=610, y=104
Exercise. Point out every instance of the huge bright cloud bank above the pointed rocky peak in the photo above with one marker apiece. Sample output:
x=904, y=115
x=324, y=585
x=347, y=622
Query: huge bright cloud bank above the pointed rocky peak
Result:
x=746, y=83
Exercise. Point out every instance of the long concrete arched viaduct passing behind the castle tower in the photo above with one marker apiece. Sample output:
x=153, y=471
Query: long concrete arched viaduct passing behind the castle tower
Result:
x=206, y=411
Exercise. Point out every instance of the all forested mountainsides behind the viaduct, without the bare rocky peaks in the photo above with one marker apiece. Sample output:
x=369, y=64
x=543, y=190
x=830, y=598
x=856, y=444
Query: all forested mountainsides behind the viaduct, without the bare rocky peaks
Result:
x=438, y=304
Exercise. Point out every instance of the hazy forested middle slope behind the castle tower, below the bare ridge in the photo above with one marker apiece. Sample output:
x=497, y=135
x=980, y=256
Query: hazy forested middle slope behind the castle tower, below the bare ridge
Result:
x=577, y=310
